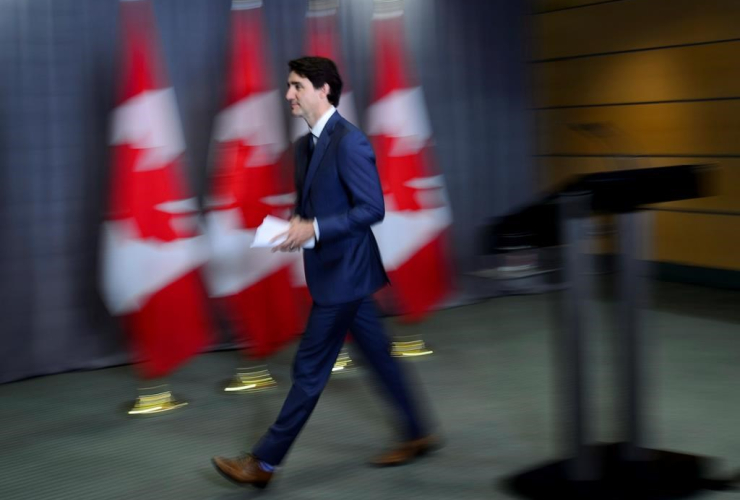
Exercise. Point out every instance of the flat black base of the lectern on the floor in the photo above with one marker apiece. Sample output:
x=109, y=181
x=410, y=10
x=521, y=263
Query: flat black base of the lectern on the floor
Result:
x=663, y=475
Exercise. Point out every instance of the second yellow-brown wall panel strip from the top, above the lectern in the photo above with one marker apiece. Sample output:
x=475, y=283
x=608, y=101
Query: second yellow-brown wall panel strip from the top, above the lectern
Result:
x=700, y=72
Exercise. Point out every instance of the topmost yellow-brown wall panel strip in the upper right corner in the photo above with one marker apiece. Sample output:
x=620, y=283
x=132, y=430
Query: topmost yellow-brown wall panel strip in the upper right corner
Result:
x=630, y=25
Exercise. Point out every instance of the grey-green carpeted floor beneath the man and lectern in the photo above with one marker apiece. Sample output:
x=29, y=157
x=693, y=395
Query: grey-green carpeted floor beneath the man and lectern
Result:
x=489, y=385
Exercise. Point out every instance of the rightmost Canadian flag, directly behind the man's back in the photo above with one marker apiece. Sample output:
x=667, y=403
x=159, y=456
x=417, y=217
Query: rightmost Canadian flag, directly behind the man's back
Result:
x=413, y=236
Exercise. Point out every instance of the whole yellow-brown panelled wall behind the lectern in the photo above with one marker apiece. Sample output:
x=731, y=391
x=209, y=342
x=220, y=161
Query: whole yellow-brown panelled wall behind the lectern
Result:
x=702, y=67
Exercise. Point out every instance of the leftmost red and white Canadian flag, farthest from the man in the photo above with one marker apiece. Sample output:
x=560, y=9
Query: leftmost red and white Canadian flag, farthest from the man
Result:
x=150, y=243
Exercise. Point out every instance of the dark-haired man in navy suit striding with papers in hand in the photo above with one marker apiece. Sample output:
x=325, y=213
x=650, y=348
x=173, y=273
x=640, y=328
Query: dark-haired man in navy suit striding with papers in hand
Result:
x=339, y=198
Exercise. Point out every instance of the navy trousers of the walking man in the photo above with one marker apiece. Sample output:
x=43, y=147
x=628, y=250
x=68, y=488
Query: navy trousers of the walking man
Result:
x=317, y=352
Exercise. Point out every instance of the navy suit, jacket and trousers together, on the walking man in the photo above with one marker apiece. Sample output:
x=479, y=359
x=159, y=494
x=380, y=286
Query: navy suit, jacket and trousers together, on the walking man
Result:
x=340, y=188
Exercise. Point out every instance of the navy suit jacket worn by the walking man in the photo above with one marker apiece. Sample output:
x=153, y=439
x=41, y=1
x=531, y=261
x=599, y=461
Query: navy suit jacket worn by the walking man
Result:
x=340, y=188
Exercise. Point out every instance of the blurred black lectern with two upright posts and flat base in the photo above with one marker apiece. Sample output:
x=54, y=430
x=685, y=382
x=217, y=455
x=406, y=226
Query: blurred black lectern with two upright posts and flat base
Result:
x=624, y=470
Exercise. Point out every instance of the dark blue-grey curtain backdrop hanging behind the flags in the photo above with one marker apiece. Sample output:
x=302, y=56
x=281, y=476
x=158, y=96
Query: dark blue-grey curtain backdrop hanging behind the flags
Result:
x=57, y=87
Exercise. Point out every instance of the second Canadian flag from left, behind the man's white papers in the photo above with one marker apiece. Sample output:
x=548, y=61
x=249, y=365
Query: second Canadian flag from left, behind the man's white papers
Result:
x=250, y=141
